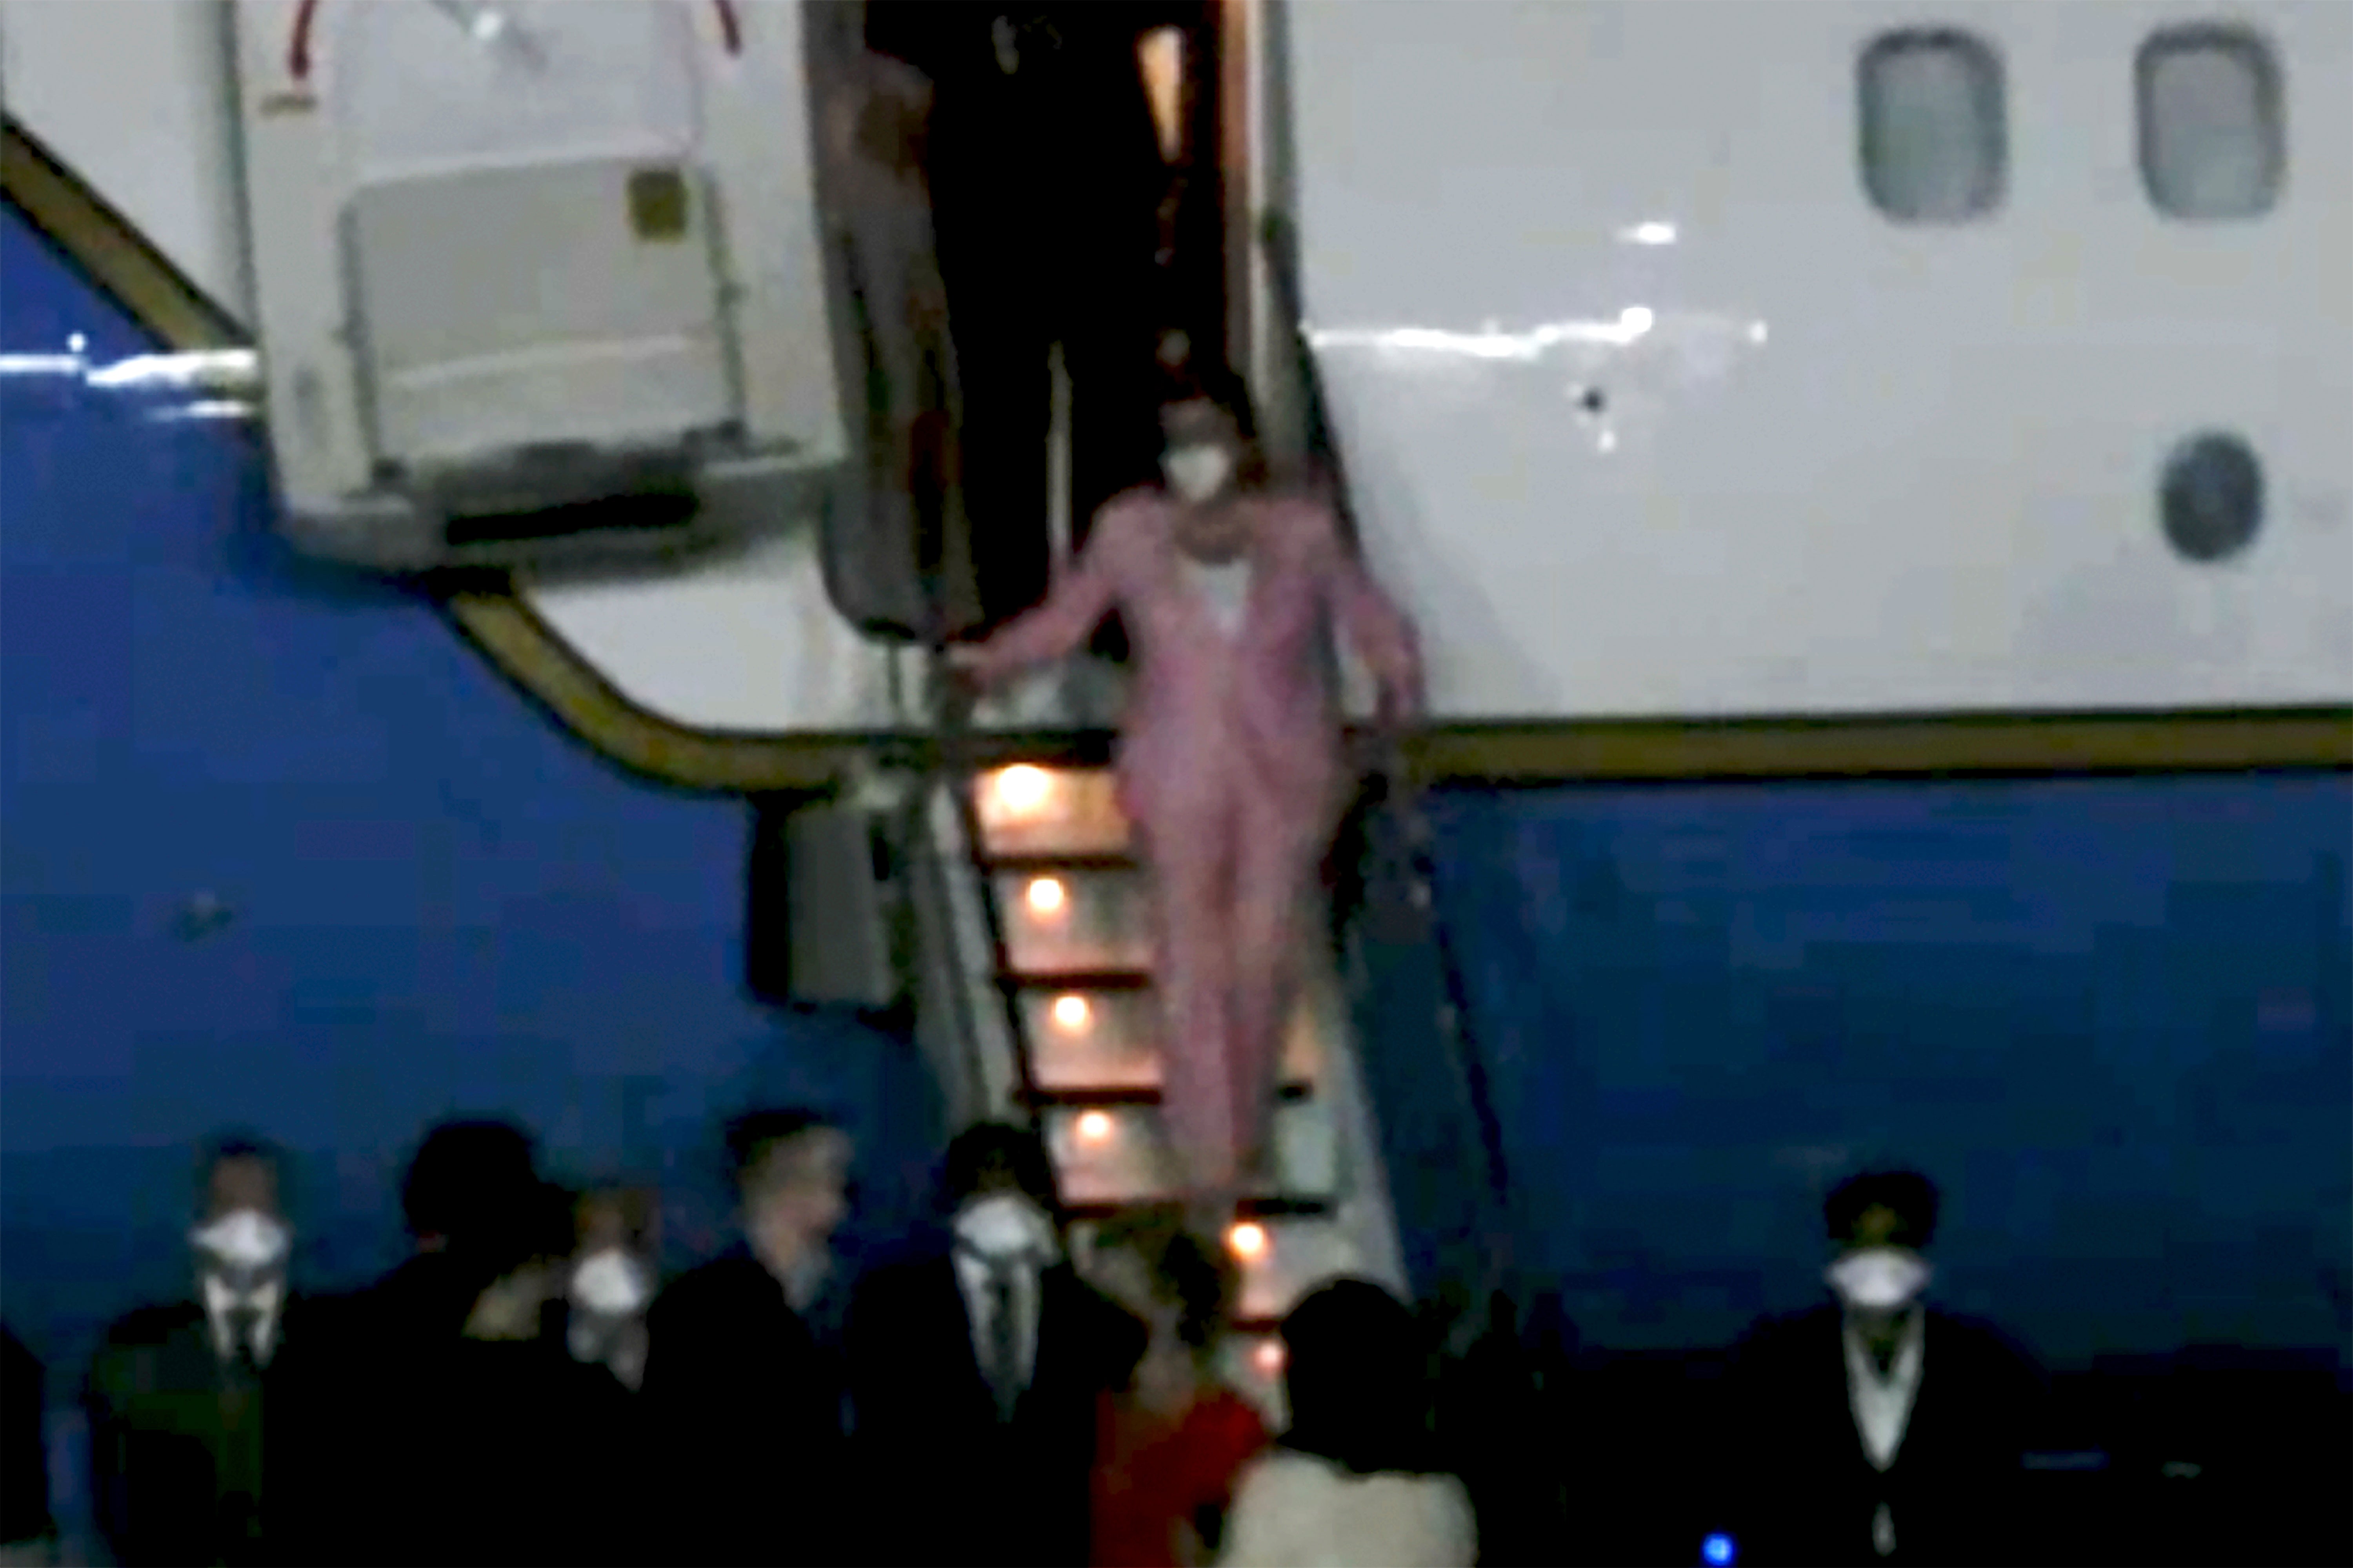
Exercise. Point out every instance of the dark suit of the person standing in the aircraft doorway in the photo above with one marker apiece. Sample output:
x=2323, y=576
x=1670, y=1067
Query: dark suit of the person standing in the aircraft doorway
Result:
x=1046, y=185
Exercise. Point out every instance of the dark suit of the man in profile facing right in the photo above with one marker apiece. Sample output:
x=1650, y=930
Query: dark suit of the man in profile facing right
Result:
x=747, y=1414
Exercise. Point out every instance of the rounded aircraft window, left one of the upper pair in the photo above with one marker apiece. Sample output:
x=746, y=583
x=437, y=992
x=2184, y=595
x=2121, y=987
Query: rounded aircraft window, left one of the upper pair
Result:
x=1935, y=140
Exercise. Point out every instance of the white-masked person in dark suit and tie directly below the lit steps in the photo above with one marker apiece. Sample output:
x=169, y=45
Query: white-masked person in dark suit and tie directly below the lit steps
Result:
x=978, y=1374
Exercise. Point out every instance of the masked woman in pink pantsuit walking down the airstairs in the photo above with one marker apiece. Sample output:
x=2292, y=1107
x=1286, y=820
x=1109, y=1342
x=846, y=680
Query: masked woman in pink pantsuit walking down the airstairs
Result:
x=1229, y=762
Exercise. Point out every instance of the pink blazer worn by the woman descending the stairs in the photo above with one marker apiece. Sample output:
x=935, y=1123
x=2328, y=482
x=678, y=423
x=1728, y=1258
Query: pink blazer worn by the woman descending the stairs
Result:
x=1208, y=705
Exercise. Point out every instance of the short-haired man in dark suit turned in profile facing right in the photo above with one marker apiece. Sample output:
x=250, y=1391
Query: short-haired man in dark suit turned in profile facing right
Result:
x=742, y=1400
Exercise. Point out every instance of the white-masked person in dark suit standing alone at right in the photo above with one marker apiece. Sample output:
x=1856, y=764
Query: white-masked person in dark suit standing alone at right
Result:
x=1881, y=1430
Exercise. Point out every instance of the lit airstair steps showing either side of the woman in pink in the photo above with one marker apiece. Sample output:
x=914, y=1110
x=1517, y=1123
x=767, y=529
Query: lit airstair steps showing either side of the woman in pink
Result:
x=1046, y=934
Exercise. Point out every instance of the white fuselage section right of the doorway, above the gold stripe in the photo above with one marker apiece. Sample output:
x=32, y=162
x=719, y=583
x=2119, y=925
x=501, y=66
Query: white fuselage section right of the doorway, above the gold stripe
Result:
x=1651, y=411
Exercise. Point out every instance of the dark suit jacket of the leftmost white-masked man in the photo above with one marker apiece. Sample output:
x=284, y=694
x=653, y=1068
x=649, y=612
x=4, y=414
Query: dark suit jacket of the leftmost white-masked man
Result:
x=201, y=1459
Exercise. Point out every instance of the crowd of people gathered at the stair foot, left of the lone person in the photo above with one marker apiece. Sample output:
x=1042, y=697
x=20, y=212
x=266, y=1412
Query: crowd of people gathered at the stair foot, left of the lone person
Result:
x=526, y=1388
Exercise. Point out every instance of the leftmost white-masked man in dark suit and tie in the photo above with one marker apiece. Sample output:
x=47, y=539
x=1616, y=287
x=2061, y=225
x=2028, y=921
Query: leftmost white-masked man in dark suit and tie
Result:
x=201, y=1409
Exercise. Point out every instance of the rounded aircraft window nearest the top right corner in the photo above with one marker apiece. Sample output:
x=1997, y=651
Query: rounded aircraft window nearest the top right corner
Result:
x=2211, y=124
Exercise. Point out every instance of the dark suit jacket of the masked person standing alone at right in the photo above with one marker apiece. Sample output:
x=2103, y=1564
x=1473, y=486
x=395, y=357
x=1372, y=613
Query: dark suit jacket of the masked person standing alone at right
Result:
x=1806, y=1489
